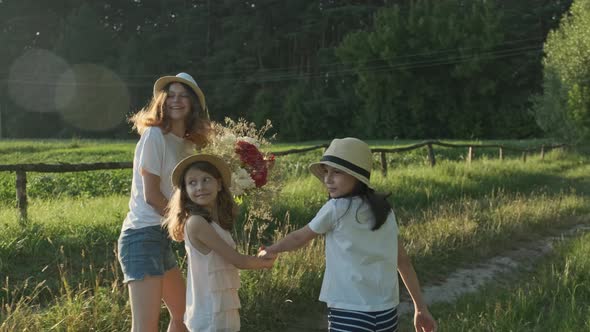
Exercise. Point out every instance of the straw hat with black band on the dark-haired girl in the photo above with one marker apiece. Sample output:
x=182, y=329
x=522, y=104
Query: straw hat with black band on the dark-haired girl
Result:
x=350, y=155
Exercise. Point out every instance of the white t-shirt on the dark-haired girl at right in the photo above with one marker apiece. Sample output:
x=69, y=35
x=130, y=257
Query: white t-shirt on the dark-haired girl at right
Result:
x=361, y=264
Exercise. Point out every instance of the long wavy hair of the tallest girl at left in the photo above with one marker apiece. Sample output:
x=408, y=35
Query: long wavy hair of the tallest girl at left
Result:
x=197, y=124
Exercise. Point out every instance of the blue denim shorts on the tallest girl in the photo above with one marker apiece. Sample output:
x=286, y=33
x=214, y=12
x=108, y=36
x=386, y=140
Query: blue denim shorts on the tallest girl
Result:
x=145, y=251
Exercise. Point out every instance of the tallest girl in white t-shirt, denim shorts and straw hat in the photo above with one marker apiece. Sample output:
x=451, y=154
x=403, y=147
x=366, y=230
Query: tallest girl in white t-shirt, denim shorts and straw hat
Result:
x=172, y=125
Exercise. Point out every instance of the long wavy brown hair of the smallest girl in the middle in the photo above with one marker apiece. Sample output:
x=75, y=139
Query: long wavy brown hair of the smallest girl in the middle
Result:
x=180, y=207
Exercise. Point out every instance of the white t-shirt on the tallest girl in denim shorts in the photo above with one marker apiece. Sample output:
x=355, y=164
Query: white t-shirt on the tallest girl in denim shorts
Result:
x=157, y=154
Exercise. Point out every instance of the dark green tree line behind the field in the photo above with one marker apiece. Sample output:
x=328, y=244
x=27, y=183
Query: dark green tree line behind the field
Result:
x=316, y=69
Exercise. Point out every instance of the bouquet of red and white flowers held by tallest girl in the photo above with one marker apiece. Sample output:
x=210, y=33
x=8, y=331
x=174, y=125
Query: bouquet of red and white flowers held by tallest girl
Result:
x=239, y=144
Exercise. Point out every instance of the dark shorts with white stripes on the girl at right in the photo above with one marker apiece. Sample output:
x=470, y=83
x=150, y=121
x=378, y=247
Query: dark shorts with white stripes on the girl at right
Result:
x=340, y=320
